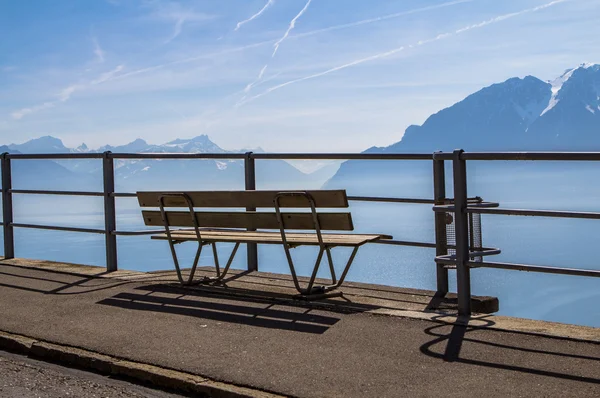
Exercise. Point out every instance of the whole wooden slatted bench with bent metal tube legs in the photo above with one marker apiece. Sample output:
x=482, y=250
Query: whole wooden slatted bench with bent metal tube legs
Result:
x=211, y=227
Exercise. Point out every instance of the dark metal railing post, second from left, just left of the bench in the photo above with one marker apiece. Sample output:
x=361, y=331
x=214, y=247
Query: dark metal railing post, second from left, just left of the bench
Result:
x=110, y=216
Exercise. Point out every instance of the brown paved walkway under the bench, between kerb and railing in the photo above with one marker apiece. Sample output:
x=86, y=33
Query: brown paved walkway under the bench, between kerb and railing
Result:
x=260, y=339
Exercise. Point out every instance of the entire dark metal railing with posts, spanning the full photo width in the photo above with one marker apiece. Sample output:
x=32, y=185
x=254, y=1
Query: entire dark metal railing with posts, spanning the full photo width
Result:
x=461, y=205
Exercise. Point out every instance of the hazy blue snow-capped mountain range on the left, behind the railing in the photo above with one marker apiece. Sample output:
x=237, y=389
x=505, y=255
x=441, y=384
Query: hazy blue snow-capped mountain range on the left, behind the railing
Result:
x=141, y=174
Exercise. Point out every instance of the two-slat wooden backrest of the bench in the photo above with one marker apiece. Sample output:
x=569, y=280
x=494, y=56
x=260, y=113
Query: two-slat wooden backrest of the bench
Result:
x=247, y=200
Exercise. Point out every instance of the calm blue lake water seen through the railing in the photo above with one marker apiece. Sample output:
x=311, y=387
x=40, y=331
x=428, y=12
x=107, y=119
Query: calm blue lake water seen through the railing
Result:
x=544, y=241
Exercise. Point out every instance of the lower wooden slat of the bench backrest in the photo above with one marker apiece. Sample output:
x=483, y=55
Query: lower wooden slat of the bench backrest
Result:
x=252, y=220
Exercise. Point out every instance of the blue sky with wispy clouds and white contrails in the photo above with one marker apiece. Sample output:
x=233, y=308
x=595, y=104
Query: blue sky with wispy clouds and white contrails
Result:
x=337, y=75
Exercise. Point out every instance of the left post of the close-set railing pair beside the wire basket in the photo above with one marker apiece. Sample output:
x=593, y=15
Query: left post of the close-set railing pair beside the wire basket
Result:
x=441, y=247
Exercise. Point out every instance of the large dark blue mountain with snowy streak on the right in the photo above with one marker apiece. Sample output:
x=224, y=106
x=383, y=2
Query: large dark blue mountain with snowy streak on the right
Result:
x=518, y=114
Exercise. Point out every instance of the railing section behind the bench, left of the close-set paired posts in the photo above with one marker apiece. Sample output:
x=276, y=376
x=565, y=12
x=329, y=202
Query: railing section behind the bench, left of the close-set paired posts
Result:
x=109, y=194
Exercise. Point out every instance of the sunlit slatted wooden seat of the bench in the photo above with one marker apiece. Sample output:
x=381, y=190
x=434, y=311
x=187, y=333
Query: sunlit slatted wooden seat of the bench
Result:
x=293, y=238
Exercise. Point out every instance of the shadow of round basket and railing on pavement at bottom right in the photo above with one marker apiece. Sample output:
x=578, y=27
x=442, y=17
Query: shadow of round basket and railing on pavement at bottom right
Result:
x=448, y=342
